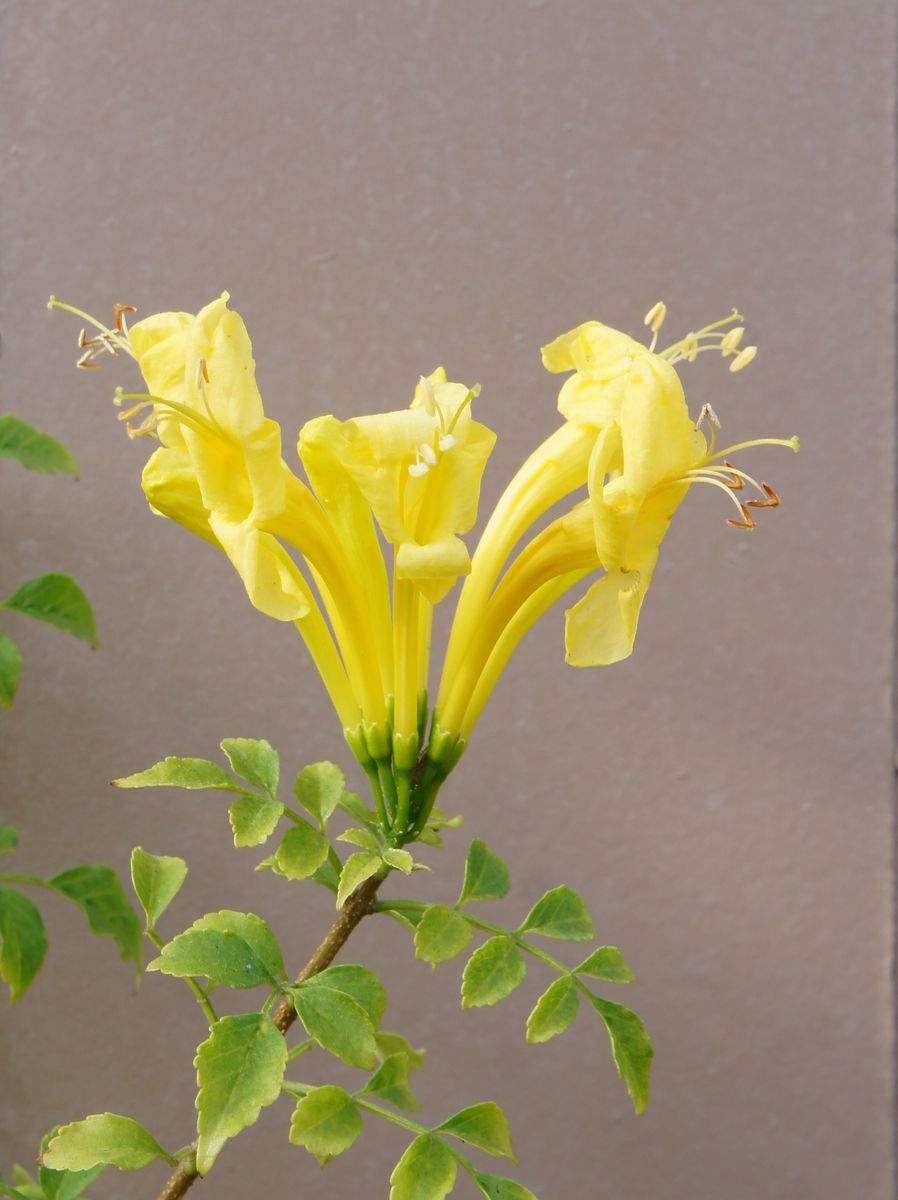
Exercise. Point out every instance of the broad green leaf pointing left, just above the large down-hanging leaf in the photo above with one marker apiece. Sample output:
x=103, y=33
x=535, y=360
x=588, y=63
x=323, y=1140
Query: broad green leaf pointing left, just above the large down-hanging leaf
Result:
x=232, y=949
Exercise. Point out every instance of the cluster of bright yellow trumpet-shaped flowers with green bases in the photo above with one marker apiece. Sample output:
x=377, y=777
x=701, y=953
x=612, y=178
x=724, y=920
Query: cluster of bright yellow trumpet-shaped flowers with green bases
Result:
x=313, y=551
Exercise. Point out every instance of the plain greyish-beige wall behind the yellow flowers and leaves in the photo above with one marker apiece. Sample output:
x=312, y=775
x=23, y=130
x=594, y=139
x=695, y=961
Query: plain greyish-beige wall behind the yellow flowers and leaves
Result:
x=388, y=185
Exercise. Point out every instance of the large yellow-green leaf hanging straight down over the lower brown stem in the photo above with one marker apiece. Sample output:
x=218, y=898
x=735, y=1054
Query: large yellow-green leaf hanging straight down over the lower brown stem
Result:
x=240, y=1072
